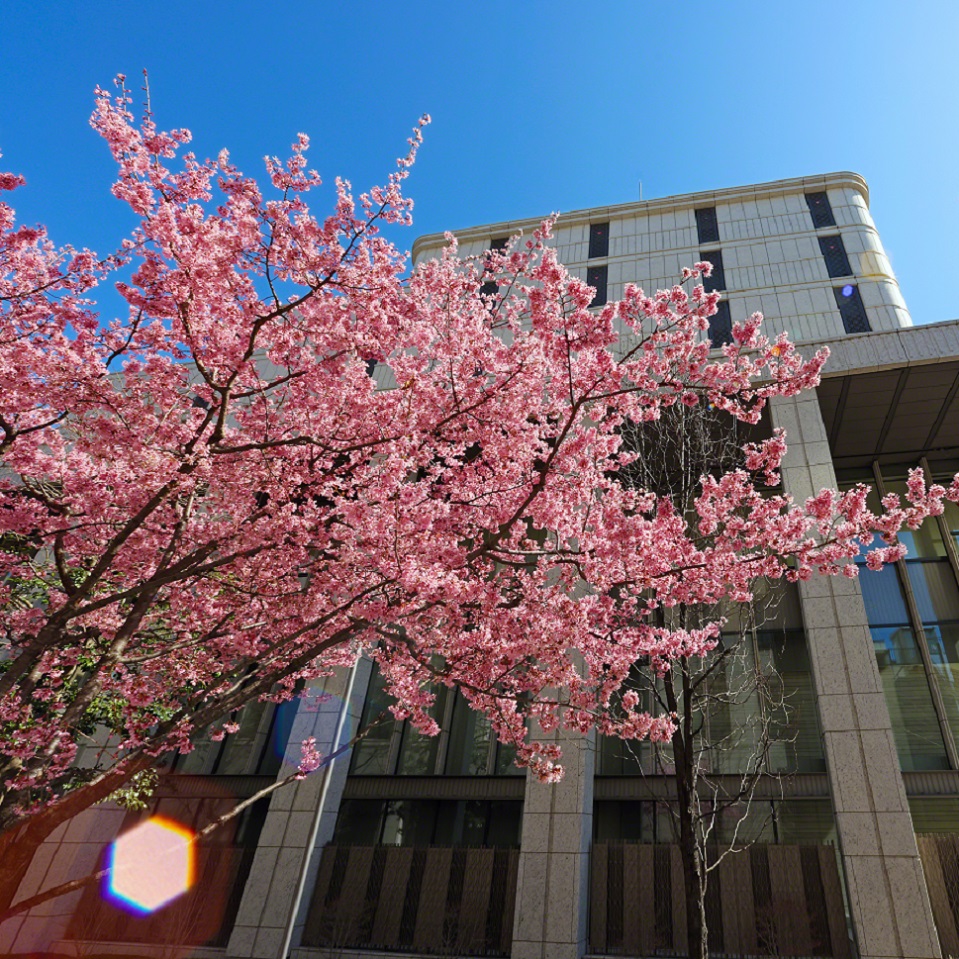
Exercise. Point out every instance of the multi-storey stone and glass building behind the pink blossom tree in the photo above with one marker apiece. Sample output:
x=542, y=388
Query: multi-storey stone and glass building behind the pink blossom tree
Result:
x=416, y=845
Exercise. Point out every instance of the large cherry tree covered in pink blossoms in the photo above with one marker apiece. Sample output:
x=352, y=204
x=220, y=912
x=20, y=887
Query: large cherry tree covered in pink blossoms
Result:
x=207, y=500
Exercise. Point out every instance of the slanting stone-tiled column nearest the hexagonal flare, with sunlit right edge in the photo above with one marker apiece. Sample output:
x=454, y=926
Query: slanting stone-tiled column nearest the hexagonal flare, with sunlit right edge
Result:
x=299, y=822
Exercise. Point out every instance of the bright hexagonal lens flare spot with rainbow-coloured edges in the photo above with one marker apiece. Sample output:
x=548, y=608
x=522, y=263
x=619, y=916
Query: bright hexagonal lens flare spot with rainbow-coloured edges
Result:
x=151, y=865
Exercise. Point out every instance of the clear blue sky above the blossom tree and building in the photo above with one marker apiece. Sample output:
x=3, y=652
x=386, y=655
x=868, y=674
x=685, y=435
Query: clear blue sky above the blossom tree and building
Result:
x=538, y=106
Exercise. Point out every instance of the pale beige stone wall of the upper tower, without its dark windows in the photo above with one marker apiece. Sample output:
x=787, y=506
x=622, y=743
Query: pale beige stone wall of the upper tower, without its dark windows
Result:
x=771, y=254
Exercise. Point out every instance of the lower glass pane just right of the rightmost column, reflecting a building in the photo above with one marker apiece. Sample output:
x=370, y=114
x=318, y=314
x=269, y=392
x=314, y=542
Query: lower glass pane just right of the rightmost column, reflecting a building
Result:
x=915, y=726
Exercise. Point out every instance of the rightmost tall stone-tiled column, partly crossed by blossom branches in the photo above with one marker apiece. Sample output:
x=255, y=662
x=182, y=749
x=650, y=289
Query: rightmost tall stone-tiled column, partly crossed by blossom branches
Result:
x=887, y=891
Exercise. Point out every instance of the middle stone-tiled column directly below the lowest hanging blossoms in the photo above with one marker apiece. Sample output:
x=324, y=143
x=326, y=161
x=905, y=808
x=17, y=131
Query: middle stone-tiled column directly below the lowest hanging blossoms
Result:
x=552, y=904
